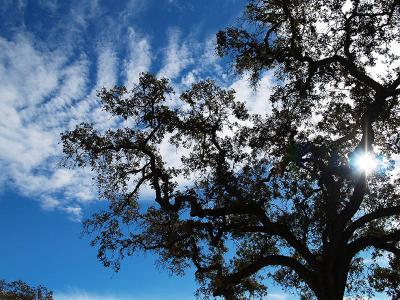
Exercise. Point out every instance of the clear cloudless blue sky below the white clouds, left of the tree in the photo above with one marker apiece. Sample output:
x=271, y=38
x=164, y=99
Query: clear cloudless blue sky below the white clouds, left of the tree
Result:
x=45, y=248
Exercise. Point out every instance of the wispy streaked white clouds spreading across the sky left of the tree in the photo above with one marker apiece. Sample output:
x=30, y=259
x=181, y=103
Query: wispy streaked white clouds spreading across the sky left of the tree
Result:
x=47, y=87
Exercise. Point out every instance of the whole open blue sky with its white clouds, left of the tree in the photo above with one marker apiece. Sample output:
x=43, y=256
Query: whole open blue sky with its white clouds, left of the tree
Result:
x=54, y=55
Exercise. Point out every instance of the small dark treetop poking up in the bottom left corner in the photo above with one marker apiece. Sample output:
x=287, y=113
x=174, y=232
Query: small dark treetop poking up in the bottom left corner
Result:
x=19, y=290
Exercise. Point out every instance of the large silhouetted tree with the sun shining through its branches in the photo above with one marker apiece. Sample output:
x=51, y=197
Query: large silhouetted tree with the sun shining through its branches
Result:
x=277, y=195
